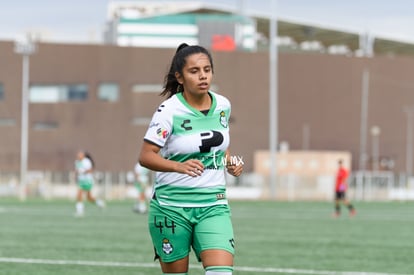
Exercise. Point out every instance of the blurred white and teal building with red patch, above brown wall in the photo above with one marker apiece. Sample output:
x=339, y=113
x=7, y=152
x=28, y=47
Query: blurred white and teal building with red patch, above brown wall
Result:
x=218, y=31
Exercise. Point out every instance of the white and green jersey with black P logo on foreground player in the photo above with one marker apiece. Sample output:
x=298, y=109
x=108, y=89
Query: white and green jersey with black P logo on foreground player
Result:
x=185, y=133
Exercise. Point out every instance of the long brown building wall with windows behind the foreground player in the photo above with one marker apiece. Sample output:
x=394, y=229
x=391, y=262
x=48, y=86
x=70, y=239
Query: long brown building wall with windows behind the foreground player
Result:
x=101, y=98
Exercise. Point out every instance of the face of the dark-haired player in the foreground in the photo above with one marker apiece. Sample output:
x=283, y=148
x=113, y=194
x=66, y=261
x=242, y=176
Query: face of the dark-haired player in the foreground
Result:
x=197, y=74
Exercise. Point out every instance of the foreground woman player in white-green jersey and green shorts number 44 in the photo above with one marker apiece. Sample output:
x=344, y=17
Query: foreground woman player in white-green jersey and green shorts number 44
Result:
x=187, y=144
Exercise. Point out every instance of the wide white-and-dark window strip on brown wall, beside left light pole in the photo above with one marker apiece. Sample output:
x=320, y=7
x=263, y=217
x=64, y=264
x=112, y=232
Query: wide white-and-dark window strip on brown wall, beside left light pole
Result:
x=58, y=93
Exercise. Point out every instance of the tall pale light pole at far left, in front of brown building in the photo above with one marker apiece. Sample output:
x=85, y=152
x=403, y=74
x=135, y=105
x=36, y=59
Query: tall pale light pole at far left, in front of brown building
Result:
x=25, y=47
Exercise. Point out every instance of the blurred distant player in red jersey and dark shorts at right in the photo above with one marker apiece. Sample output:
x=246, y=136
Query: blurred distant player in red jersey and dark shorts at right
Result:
x=340, y=190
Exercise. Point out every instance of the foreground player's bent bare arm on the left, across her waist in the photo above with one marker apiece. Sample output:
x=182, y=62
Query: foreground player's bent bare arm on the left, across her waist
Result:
x=151, y=159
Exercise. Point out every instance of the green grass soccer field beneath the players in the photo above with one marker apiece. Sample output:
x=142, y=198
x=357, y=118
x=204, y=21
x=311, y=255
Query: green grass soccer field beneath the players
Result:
x=43, y=237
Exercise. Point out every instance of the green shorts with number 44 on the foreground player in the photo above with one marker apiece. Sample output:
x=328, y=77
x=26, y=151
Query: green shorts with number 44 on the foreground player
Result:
x=174, y=230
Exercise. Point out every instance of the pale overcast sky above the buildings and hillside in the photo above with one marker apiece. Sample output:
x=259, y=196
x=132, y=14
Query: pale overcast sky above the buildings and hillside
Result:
x=81, y=21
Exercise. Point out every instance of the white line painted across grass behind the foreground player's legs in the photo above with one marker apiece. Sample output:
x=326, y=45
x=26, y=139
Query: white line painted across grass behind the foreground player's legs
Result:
x=156, y=265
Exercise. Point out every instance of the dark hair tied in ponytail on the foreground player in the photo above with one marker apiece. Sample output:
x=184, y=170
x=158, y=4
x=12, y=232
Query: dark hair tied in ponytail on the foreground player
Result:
x=171, y=85
